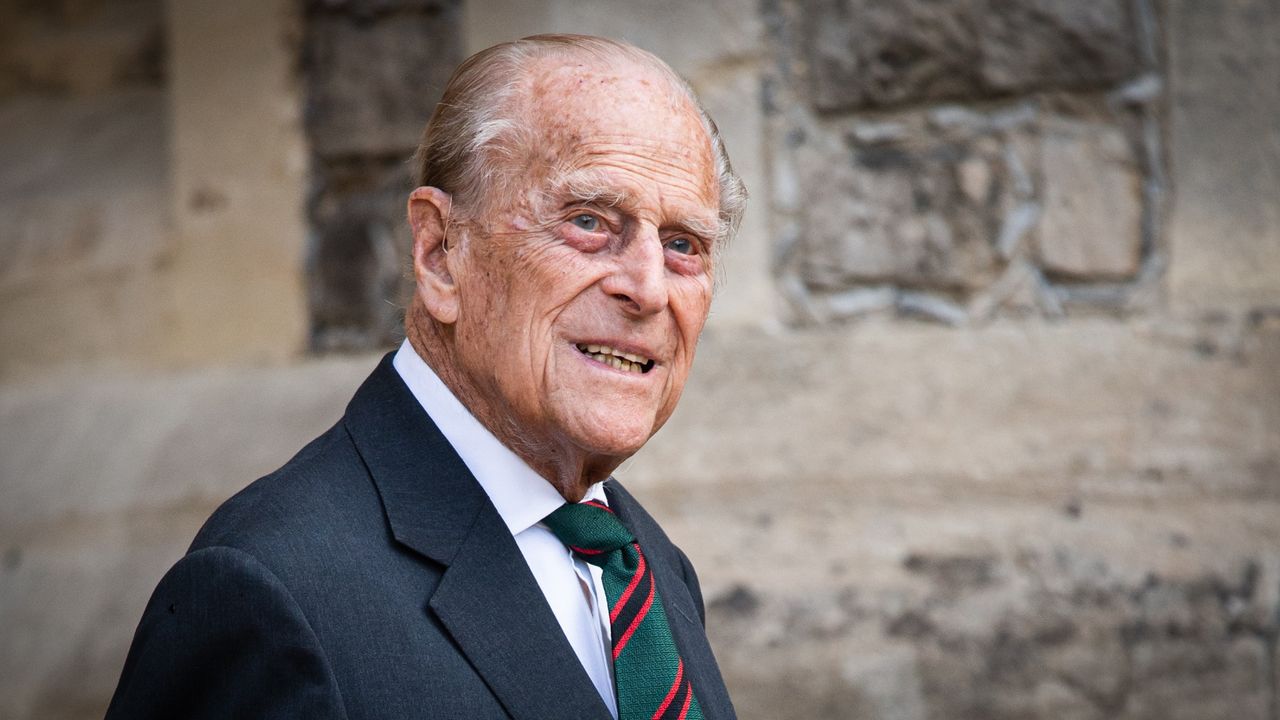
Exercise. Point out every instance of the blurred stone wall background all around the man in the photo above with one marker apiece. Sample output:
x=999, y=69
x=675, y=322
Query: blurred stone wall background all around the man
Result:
x=986, y=423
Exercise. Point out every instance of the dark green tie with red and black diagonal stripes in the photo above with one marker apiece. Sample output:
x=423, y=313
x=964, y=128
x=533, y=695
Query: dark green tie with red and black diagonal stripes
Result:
x=648, y=671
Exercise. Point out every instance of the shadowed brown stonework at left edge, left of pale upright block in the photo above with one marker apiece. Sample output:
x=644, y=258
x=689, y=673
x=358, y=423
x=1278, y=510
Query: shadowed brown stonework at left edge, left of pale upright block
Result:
x=83, y=183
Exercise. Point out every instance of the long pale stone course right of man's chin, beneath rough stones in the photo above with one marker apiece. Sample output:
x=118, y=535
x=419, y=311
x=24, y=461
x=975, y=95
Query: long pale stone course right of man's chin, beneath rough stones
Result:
x=1099, y=404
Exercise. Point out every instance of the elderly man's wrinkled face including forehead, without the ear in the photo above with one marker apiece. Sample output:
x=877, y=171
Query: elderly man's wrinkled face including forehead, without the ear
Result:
x=583, y=294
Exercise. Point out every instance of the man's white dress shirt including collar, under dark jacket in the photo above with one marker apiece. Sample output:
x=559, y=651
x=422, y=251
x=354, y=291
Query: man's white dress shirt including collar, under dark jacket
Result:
x=573, y=587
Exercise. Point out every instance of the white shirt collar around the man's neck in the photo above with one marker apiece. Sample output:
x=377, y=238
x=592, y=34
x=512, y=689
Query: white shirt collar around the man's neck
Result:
x=522, y=496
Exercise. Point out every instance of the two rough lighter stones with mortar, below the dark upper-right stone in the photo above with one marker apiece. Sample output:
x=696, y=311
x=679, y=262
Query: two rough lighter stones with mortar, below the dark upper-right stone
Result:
x=1039, y=207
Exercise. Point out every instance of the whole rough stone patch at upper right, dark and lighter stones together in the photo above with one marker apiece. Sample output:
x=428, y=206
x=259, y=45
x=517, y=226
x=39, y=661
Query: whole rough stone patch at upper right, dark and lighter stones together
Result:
x=967, y=162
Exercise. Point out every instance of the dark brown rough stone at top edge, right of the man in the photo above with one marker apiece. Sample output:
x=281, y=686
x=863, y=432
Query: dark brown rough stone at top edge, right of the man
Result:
x=868, y=54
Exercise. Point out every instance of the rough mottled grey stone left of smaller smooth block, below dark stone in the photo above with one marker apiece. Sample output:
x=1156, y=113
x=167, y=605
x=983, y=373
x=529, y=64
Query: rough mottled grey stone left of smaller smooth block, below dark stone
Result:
x=893, y=204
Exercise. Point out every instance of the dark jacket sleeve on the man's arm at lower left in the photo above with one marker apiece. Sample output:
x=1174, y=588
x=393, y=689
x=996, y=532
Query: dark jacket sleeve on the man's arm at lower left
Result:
x=222, y=637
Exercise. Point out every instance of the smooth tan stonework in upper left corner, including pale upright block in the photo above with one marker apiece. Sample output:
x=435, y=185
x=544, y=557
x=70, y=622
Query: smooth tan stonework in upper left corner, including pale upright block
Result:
x=153, y=179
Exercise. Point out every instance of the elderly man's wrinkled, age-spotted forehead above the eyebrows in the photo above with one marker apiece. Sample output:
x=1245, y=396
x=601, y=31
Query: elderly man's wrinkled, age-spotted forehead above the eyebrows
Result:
x=583, y=107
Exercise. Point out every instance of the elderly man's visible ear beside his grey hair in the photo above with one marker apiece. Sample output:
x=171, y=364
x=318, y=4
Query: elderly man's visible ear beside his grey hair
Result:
x=429, y=216
